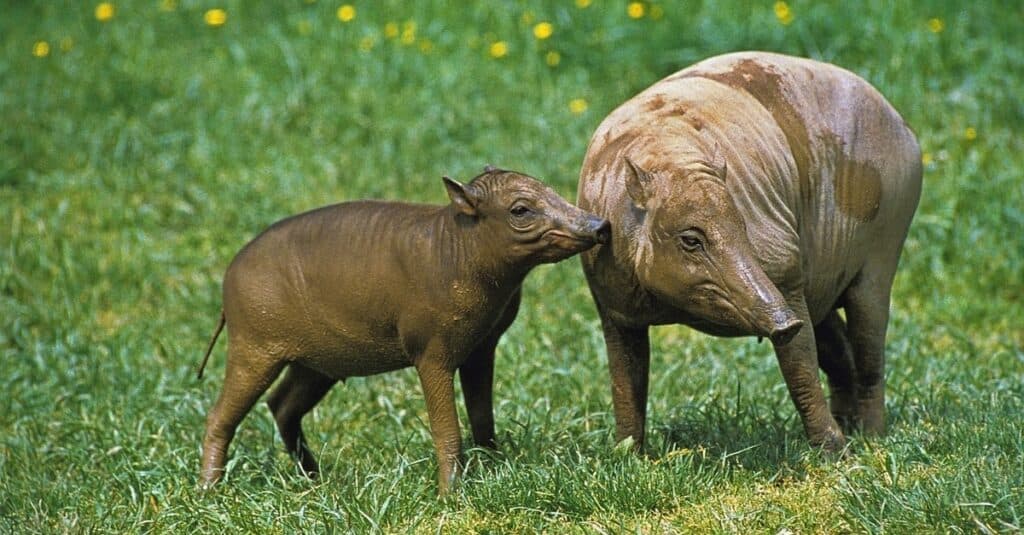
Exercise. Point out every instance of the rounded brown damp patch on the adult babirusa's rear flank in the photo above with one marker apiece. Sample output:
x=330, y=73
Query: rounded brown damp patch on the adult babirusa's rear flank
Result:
x=857, y=185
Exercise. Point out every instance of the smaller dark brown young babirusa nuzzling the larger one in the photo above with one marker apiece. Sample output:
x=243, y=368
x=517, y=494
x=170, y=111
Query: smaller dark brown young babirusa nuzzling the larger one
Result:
x=368, y=287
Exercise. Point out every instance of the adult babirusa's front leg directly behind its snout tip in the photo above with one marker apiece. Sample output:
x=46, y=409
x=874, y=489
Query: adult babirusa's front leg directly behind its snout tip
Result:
x=799, y=363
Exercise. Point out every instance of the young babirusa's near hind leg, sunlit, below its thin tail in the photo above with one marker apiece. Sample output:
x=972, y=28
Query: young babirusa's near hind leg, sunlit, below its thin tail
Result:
x=245, y=380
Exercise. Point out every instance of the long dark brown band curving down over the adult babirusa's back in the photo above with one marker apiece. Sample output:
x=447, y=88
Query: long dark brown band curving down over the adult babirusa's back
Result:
x=764, y=85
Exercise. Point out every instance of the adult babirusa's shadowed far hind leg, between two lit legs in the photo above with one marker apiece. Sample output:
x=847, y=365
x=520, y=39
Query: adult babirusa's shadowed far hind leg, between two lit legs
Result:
x=836, y=358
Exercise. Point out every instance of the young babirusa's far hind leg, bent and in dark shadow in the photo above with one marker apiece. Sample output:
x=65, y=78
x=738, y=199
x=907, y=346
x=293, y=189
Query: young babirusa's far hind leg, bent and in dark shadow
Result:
x=297, y=394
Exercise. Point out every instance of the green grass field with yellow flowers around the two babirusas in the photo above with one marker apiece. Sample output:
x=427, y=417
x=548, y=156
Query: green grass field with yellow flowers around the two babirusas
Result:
x=140, y=153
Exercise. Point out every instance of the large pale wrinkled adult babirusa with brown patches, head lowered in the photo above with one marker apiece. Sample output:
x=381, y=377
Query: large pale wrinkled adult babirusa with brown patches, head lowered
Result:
x=755, y=194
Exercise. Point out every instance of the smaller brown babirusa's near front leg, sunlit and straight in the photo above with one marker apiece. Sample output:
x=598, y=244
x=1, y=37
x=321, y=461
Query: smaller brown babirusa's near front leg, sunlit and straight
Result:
x=439, y=391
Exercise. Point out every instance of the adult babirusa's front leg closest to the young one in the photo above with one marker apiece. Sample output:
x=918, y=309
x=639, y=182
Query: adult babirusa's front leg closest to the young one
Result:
x=629, y=360
